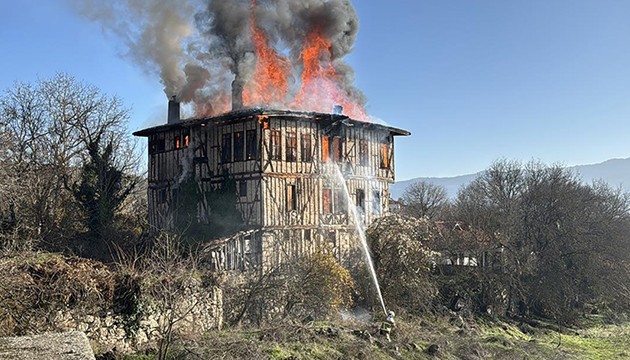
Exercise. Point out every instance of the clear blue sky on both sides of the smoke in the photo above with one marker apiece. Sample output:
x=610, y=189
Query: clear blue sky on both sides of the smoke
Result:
x=472, y=80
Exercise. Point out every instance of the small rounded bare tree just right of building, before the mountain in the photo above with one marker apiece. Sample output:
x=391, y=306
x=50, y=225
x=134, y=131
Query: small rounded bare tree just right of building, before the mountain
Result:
x=423, y=198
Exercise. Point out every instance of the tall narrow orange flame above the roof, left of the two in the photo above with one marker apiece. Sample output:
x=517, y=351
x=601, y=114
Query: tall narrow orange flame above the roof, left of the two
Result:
x=269, y=85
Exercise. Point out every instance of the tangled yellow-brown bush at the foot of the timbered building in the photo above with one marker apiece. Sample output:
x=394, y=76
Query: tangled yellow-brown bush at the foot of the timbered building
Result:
x=314, y=286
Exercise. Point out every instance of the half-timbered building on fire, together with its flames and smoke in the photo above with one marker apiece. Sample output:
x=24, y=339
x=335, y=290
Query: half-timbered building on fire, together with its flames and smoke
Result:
x=235, y=62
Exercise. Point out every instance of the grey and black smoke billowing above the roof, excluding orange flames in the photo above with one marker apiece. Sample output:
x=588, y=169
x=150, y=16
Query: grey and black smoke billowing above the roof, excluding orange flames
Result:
x=198, y=47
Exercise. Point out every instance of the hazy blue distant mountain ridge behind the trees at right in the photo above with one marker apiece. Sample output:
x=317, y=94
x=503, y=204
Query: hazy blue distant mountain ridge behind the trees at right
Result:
x=616, y=172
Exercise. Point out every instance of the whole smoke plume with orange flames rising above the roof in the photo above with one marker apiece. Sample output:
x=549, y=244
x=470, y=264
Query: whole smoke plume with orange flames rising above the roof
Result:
x=282, y=53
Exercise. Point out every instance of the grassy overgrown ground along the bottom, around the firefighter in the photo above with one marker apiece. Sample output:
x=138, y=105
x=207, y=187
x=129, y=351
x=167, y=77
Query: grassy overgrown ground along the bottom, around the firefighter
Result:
x=446, y=335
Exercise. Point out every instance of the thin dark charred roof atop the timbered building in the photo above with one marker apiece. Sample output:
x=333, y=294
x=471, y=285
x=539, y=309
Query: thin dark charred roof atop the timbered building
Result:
x=239, y=115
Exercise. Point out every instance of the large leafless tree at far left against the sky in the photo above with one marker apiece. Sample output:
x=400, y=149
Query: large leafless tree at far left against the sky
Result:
x=47, y=128
